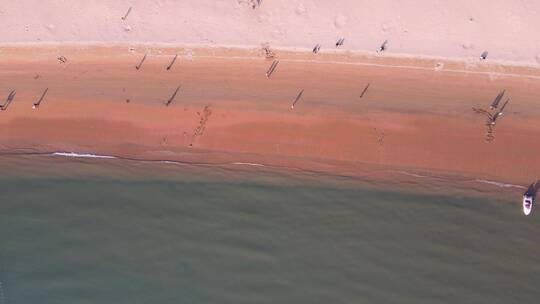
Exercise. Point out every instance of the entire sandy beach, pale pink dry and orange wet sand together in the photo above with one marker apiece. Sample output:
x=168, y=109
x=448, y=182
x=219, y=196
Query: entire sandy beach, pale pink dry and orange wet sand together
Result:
x=416, y=113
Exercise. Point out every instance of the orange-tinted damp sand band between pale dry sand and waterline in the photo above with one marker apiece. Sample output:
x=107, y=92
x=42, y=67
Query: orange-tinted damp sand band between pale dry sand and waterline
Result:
x=411, y=117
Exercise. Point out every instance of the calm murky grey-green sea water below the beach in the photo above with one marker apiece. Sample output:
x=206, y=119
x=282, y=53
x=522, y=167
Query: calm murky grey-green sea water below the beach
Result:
x=124, y=234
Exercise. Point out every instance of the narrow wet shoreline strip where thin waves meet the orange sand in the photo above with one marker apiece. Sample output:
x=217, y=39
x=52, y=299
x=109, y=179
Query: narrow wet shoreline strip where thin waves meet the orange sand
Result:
x=369, y=177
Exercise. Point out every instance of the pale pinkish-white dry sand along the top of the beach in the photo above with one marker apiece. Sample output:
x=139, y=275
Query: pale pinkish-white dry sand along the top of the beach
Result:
x=459, y=29
